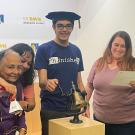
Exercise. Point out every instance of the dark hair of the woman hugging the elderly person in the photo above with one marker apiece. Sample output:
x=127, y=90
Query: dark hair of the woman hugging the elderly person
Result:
x=27, y=77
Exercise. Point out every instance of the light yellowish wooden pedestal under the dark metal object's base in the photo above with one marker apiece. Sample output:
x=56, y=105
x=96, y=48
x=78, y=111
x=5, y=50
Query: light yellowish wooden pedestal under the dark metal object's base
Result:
x=62, y=126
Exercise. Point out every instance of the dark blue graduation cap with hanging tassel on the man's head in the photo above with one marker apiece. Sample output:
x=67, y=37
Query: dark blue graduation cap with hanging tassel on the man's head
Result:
x=63, y=15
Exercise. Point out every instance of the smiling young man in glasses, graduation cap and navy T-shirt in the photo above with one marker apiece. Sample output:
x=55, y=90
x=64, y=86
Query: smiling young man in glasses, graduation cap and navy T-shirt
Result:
x=59, y=63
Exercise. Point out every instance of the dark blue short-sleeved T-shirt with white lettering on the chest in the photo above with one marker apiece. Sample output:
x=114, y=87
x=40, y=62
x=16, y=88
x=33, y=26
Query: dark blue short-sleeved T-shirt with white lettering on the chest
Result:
x=62, y=63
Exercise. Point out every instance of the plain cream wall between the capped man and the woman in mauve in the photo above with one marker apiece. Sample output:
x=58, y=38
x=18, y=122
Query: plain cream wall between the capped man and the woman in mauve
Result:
x=100, y=20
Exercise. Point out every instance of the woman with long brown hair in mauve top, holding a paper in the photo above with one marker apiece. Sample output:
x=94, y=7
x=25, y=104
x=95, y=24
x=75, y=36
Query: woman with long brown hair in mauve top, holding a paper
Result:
x=113, y=105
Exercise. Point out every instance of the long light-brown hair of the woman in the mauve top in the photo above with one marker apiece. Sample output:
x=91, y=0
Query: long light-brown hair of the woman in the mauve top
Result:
x=128, y=61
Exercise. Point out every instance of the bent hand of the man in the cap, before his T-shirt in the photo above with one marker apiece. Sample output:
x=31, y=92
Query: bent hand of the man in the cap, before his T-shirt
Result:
x=52, y=84
